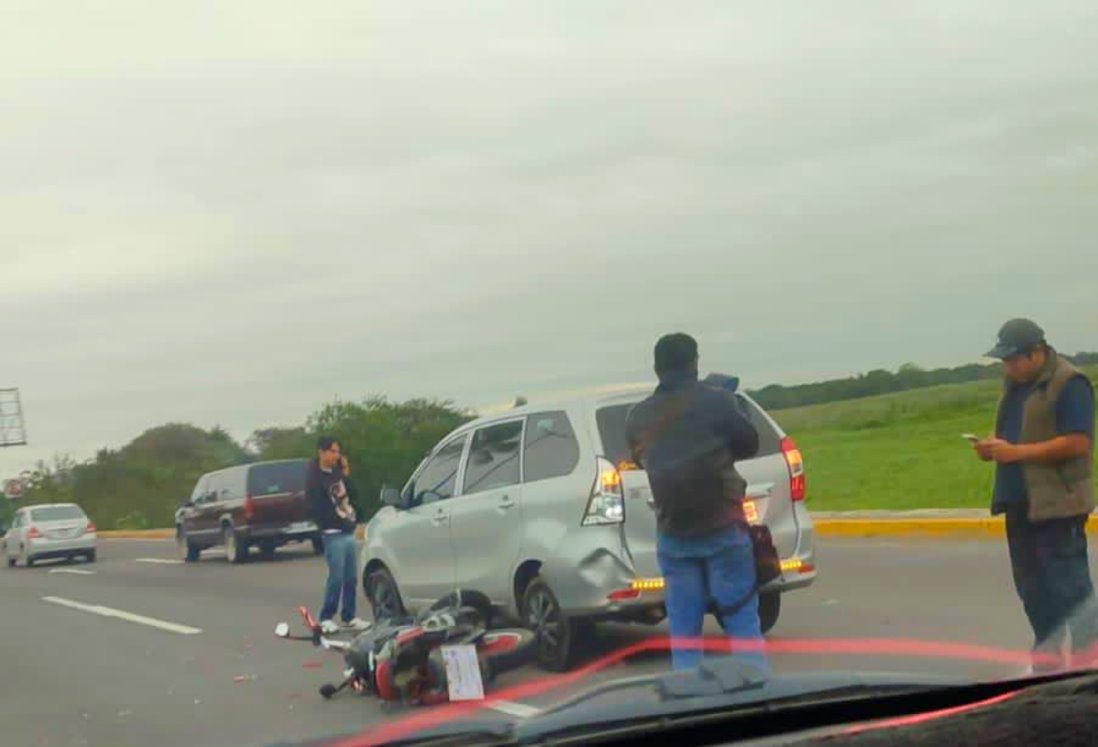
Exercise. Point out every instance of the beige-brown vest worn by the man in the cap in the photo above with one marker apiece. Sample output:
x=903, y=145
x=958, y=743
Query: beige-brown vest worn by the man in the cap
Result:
x=1066, y=488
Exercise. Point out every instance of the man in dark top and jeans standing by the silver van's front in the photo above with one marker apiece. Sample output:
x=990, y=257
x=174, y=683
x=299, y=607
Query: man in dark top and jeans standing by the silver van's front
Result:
x=332, y=500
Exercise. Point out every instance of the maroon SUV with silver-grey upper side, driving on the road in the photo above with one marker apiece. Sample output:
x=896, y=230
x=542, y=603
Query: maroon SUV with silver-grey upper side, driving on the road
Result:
x=262, y=505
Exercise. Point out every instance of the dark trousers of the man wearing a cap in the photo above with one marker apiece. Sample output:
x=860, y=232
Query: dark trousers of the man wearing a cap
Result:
x=1052, y=576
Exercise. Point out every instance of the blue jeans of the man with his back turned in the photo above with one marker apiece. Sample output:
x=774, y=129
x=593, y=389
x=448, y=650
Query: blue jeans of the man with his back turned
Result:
x=719, y=568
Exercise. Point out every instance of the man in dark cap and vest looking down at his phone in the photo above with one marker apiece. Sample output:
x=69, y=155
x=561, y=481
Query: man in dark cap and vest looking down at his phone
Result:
x=1044, y=450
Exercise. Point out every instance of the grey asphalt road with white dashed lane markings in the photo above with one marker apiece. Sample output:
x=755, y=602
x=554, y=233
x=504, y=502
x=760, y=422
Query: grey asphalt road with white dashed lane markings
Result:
x=214, y=674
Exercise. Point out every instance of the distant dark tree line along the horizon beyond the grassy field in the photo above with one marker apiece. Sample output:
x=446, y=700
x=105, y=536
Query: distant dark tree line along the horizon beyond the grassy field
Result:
x=880, y=382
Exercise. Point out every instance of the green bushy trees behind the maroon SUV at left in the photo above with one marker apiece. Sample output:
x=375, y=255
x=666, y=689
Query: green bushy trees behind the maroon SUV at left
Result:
x=141, y=485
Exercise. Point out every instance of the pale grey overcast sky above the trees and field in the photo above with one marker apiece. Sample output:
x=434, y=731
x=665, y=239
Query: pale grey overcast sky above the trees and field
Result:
x=232, y=213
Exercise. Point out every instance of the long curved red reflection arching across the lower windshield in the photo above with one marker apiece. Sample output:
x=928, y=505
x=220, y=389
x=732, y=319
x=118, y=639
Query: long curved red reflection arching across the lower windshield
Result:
x=898, y=648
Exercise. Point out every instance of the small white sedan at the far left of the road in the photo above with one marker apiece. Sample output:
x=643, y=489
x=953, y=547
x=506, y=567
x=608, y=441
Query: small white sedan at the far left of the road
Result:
x=50, y=531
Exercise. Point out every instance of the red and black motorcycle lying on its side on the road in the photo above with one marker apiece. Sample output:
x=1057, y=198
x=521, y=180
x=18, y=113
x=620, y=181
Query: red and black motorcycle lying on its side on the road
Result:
x=402, y=660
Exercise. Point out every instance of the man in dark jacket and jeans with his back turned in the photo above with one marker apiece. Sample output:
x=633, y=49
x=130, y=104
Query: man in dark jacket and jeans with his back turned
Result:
x=688, y=437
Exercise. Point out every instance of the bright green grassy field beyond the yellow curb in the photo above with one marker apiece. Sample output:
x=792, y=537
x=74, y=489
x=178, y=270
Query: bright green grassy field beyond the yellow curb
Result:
x=898, y=452
